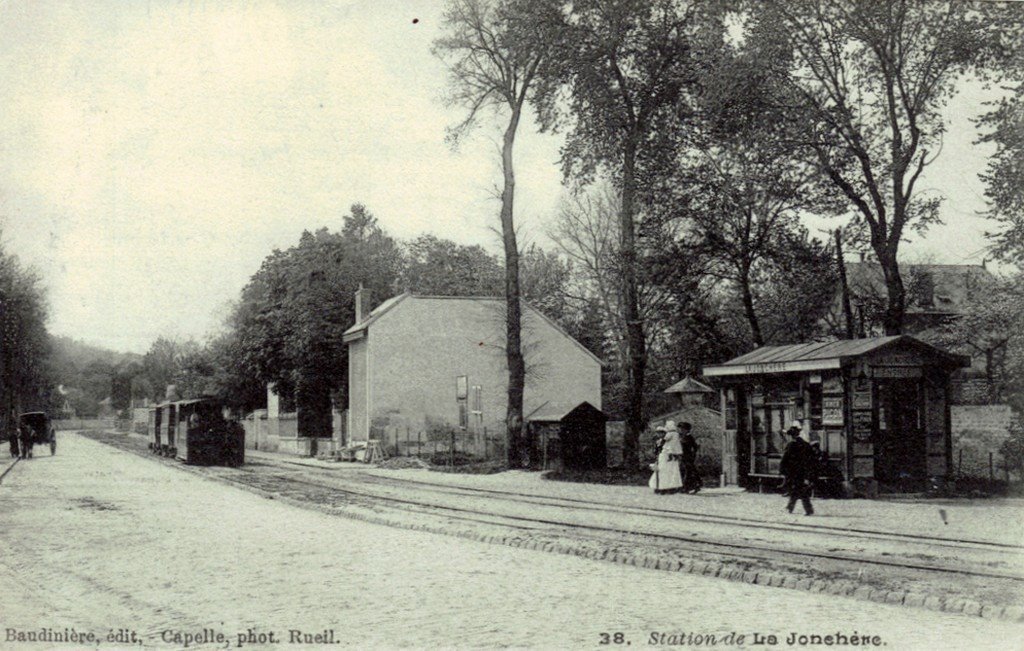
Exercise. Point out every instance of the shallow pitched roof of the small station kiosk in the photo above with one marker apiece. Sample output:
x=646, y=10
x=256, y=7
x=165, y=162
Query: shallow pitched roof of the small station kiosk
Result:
x=820, y=356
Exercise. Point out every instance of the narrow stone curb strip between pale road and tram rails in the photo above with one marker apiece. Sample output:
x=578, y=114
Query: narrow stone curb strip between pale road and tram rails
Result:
x=553, y=543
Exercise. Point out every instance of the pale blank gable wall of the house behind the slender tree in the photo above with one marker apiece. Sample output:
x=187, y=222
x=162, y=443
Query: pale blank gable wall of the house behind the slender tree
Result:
x=419, y=349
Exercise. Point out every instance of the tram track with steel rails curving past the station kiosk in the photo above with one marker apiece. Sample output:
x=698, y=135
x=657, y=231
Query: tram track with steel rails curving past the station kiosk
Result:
x=325, y=487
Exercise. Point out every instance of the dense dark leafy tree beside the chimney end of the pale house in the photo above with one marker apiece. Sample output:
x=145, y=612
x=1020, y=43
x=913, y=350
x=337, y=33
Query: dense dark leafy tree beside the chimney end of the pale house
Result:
x=294, y=311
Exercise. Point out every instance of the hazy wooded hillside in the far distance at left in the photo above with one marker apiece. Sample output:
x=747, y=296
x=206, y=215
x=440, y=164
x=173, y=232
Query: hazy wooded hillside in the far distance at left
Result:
x=87, y=373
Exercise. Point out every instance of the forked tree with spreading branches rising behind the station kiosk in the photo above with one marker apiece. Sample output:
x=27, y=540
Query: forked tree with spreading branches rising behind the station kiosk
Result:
x=868, y=80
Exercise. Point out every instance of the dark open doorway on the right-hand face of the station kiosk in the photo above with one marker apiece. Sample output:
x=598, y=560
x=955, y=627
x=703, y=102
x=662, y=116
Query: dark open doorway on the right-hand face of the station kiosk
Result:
x=901, y=455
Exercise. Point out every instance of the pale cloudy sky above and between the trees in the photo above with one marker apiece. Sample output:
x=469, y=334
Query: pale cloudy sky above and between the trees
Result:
x=153, y=153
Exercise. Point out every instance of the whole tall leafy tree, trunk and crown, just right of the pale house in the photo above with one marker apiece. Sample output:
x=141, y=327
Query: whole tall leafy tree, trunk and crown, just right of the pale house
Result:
x=626, y=76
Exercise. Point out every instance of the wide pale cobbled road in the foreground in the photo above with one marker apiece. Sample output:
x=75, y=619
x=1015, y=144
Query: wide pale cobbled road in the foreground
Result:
x=99, y=540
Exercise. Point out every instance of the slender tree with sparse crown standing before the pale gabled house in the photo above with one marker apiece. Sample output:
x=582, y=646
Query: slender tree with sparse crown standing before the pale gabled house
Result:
x=494, y=56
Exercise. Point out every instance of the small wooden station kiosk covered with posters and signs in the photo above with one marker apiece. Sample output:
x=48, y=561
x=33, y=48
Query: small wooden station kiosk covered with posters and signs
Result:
x=877, y=408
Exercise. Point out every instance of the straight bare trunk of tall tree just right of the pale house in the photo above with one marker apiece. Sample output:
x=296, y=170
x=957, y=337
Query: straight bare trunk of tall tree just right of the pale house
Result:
x=635, y=343
